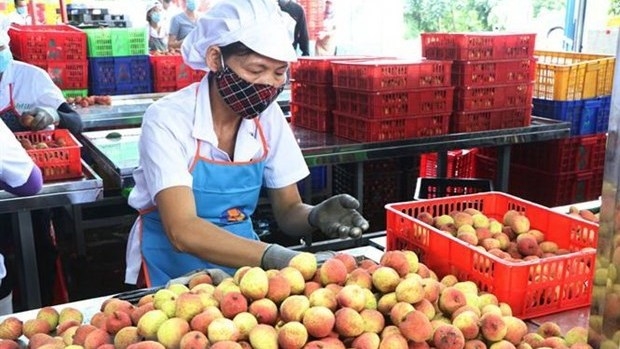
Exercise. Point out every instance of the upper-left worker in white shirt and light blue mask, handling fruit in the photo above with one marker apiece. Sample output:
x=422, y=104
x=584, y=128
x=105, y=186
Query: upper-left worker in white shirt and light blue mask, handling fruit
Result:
x=29, y=100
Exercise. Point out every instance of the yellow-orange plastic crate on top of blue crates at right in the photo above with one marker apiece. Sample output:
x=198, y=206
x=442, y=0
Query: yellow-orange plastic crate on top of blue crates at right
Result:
x=571, y=76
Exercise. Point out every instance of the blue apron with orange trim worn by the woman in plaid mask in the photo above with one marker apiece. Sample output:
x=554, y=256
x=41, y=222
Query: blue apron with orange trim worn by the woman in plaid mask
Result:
x=226, y=194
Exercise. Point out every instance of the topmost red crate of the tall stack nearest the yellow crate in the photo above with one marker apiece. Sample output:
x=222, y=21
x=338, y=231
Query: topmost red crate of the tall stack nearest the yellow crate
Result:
x=477, y=46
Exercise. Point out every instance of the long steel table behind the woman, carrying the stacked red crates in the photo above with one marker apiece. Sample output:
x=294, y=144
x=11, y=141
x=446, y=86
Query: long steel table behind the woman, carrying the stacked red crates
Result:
x=118, y=157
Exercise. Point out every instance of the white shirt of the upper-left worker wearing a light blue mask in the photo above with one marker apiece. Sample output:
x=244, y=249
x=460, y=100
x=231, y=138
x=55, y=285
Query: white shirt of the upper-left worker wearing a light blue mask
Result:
x=32, y=87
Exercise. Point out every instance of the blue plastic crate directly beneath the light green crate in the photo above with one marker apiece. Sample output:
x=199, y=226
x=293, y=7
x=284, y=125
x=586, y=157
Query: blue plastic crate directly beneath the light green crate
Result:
x=120, y=75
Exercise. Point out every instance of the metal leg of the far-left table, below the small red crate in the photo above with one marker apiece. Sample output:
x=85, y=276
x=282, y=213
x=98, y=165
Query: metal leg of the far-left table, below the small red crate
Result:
x=28, y=272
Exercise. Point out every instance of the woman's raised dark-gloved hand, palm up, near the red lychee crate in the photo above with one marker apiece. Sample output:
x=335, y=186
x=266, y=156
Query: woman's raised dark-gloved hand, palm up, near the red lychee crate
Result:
x=338, y=217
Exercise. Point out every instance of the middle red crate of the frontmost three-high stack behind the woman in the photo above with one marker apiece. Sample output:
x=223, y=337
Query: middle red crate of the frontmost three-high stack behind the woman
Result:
x=396, y=103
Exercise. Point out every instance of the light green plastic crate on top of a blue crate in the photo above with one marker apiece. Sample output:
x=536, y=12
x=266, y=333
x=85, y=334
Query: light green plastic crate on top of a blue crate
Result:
x=116, y=42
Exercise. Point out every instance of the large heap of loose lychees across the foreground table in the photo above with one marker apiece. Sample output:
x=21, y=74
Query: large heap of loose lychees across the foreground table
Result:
x=396, y=303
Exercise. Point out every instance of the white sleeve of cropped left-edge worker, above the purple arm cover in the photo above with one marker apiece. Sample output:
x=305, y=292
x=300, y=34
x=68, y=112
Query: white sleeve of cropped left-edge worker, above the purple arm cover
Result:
x=15, y=167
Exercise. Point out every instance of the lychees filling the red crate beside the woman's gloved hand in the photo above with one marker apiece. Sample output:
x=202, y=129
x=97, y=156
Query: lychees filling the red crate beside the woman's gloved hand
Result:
x=512, y=238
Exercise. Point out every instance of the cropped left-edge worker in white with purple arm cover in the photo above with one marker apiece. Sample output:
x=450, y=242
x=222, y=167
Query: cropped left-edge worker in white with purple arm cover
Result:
x=18, y=176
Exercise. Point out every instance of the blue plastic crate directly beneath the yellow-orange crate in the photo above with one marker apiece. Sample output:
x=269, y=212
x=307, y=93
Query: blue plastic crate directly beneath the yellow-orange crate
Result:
x=587, y=116
